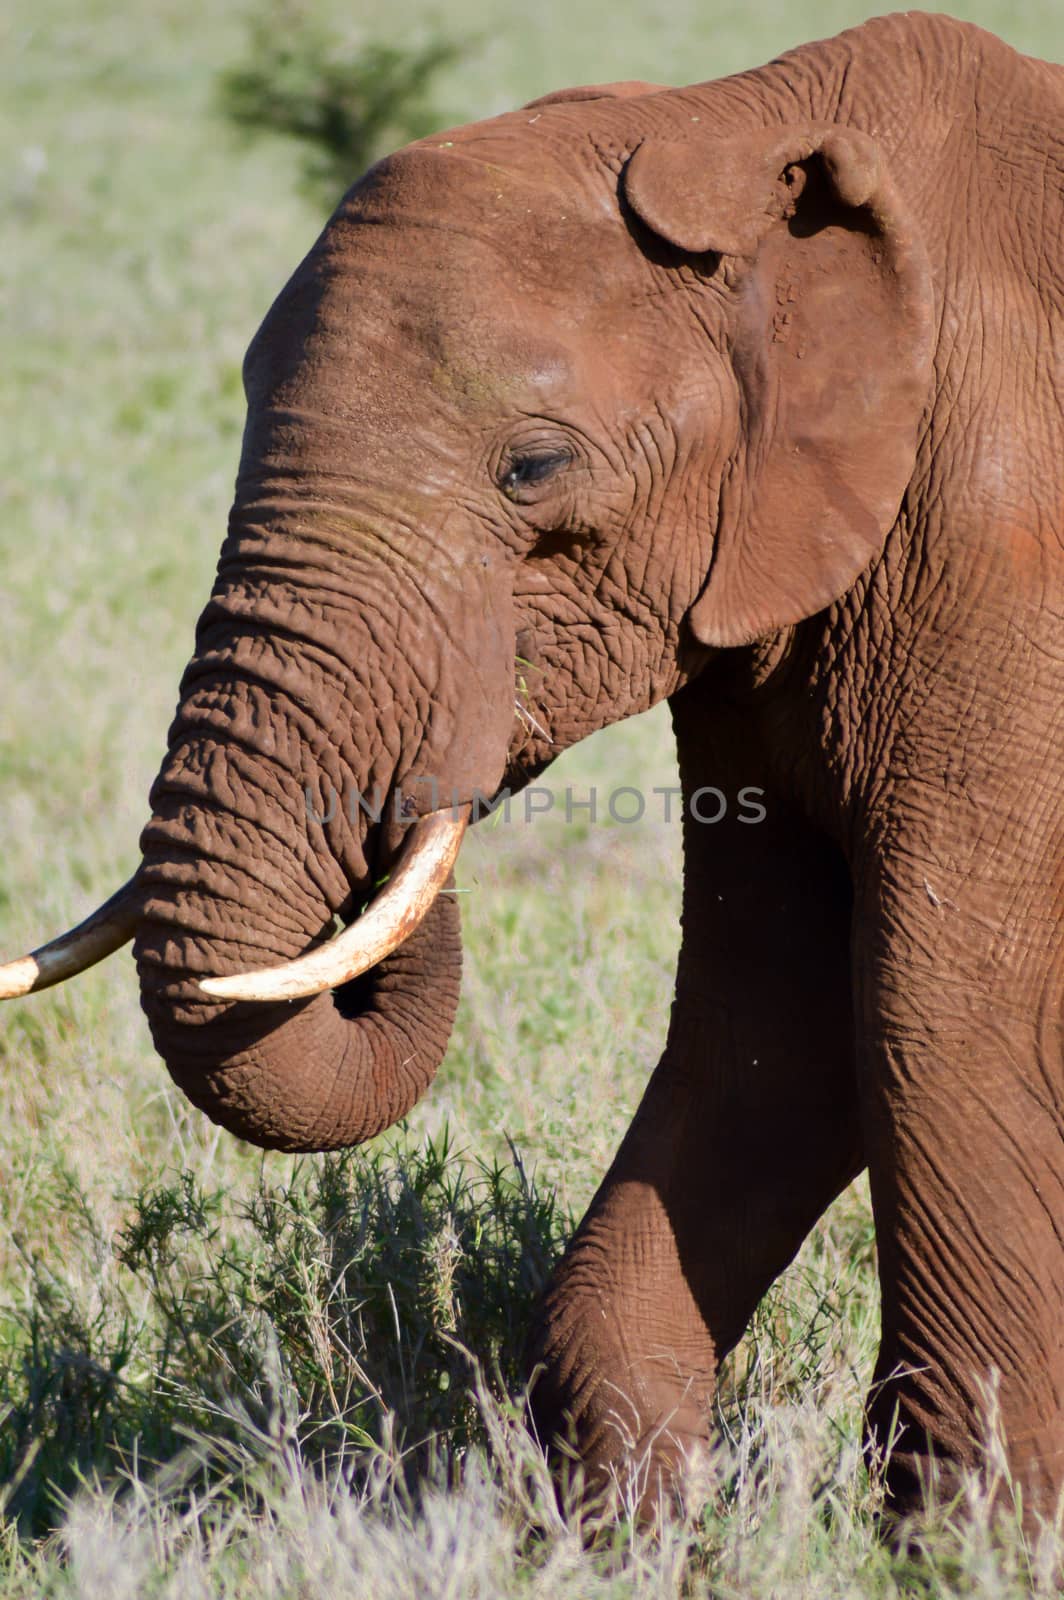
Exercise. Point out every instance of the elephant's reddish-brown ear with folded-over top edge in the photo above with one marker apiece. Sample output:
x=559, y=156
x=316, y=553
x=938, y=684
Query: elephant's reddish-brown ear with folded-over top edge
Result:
x=831, y=335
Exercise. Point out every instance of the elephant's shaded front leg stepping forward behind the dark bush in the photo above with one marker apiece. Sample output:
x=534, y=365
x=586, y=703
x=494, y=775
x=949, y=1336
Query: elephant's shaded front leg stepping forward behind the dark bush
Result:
x=748, y=1130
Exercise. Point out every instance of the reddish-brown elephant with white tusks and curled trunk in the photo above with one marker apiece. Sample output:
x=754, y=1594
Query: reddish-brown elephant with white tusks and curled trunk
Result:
x=743, y=398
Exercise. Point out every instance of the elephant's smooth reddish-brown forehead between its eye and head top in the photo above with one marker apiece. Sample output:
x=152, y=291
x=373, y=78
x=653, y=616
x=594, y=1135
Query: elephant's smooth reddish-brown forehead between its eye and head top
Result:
x=444, y=287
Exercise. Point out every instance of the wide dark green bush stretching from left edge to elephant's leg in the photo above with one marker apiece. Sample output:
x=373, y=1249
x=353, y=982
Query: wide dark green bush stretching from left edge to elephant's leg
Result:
x=342, y=1310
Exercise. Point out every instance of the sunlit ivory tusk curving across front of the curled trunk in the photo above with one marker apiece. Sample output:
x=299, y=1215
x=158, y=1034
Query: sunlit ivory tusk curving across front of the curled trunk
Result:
x=402, y=905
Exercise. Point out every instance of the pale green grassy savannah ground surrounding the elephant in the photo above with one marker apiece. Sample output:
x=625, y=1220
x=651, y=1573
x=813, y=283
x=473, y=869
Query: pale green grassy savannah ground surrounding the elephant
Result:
x=231, y=1375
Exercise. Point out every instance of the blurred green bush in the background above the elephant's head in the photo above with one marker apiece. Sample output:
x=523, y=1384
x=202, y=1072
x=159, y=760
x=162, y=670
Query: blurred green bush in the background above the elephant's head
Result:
x=348, y=103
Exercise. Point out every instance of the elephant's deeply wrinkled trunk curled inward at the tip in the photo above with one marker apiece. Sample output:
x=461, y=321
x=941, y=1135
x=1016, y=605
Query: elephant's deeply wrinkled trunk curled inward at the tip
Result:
x=279, y=806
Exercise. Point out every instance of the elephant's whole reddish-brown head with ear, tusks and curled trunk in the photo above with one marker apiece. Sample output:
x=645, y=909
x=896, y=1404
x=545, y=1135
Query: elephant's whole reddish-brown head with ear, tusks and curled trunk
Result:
x=607, y=386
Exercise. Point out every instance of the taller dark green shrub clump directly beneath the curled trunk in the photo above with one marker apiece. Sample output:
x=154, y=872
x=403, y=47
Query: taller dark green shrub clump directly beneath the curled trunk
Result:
x=386, y=1278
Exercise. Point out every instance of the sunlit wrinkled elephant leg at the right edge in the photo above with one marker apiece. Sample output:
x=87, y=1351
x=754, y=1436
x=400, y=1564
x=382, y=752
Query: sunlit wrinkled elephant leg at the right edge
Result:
x=961, y=988
